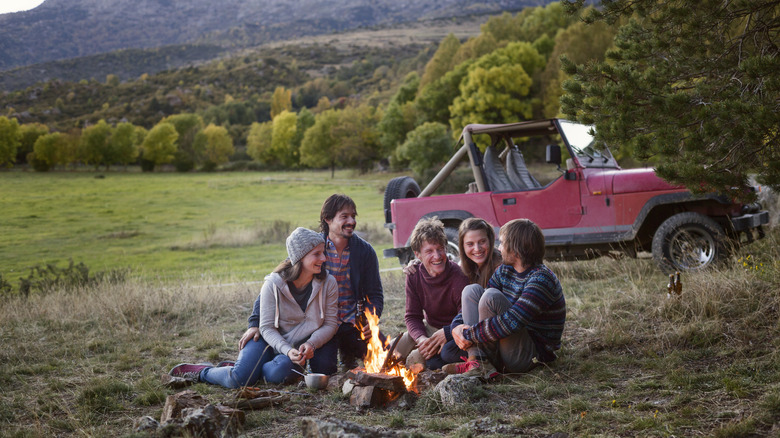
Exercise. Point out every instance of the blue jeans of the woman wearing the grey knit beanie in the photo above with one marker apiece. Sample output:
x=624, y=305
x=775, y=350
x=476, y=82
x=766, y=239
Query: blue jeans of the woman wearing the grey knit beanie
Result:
x=257, y=361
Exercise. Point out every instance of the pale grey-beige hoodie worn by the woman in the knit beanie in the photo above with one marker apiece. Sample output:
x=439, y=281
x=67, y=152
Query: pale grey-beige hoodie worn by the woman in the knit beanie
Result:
x=284, y=326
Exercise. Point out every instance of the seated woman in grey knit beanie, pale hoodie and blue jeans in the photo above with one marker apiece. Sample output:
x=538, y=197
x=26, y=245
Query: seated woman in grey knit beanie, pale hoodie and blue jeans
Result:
x=294, y=317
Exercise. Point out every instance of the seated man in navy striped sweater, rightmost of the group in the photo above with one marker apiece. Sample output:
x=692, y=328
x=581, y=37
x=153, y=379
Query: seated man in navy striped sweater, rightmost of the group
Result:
x=517, y=322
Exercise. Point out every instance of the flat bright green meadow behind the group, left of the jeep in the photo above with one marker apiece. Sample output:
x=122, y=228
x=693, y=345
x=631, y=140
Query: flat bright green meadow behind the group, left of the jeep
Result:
x=229, y=226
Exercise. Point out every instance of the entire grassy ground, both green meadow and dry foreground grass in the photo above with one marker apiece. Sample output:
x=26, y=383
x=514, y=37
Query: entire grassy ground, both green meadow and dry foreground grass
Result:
x=86, y=361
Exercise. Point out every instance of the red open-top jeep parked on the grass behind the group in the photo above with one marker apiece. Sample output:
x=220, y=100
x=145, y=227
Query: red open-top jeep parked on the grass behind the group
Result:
x=591, y=208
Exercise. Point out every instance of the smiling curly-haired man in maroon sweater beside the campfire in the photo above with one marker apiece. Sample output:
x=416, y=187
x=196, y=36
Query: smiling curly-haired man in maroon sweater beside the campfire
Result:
x=433, y=294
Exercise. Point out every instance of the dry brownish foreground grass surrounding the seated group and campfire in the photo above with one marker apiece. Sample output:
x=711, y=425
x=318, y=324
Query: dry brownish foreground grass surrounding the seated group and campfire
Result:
x=86, y=361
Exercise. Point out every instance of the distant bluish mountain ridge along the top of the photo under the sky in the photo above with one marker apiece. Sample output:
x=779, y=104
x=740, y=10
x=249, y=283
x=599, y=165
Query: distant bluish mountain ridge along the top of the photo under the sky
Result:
x=64, y=29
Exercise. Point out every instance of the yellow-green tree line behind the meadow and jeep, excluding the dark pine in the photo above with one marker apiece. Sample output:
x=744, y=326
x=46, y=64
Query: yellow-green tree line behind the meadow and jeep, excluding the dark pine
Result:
x=509, y=72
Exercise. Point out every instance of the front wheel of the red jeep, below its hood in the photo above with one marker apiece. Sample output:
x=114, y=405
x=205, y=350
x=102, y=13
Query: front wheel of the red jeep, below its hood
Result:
x=689, y=242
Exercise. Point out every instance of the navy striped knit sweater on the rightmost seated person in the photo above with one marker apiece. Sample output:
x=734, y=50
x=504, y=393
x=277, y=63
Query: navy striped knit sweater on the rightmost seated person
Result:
x=539, y=306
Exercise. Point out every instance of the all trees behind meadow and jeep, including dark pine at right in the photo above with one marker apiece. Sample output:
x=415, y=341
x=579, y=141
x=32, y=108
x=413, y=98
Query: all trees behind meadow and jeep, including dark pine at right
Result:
x=706, y=121
